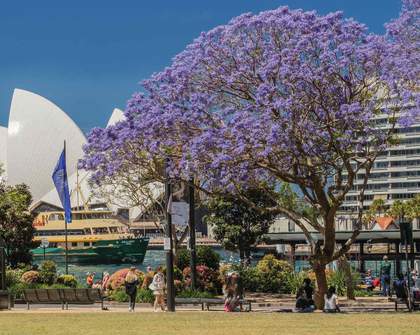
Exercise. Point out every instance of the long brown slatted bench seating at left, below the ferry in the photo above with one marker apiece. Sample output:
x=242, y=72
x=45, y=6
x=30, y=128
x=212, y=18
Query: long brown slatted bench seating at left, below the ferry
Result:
x=64, y=297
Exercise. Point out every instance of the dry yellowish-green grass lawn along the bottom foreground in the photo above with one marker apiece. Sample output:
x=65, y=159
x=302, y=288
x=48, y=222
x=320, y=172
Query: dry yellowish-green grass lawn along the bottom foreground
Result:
x=202, y=323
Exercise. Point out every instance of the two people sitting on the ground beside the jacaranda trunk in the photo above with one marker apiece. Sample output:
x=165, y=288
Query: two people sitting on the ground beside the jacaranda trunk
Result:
x=306, y=304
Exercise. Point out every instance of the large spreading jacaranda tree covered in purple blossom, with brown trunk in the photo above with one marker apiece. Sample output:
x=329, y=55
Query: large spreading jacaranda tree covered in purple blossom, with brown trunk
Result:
x=282, y=96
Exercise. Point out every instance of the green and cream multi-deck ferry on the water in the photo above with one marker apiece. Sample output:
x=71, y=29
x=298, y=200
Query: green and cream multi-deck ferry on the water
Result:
x=93, y=237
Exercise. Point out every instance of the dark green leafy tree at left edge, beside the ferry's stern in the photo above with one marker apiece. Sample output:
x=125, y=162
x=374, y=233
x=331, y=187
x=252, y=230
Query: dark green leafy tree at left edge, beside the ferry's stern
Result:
x=16, y=228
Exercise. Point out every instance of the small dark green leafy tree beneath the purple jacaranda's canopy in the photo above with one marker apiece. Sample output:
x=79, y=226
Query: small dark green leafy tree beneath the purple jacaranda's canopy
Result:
x=237, y=225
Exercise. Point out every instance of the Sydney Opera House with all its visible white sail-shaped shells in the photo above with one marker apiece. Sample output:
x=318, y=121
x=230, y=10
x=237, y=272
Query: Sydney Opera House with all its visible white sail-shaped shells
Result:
x=32, y=142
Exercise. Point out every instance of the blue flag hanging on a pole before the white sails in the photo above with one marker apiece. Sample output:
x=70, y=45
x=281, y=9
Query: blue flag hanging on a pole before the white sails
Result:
x=60, y=181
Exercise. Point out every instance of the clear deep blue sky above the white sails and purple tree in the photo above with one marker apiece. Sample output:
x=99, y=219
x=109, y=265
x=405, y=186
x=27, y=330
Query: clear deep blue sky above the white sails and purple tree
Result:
x=88, y=56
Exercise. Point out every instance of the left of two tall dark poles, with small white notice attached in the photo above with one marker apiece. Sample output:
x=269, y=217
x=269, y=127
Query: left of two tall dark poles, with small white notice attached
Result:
x=168, y=246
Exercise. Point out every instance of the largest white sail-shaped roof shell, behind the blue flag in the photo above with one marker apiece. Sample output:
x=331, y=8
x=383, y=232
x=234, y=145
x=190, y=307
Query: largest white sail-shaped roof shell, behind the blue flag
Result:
x=36, y=134
